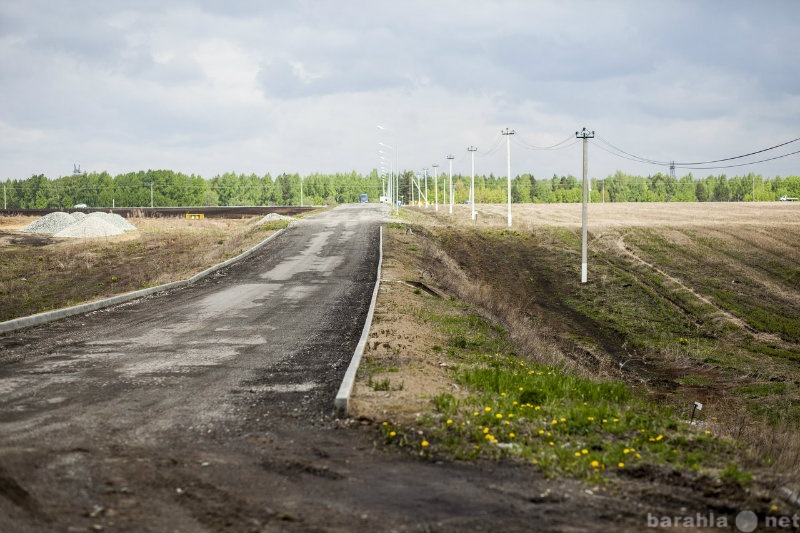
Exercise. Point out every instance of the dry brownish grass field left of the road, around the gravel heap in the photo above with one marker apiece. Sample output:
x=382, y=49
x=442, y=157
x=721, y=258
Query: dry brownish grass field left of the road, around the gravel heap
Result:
x=39, y=272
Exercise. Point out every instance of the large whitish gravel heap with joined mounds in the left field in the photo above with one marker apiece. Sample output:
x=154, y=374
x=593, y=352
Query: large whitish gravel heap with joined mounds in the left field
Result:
x=80, y=225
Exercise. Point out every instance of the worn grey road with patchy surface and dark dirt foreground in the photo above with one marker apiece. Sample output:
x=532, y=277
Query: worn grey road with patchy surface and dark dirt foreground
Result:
x=210, y=409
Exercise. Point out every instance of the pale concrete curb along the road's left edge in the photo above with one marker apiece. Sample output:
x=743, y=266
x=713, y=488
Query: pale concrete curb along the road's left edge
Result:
x=50, y=316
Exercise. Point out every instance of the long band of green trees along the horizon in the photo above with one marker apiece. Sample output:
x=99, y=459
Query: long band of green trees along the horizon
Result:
x=165, y=188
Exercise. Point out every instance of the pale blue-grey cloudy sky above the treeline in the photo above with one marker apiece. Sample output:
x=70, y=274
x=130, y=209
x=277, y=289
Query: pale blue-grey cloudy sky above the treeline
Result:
x=207, y=87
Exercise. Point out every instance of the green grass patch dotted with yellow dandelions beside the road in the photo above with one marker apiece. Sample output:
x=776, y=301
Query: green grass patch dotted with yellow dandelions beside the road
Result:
x=549, y=417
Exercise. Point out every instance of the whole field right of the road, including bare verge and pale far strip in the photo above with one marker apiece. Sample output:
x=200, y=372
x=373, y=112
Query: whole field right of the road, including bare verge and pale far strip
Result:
x=685, y=303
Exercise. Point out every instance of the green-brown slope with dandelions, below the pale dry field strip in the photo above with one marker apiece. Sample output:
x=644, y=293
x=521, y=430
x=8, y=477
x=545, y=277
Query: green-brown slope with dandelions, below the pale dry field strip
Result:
x=675, y=333
